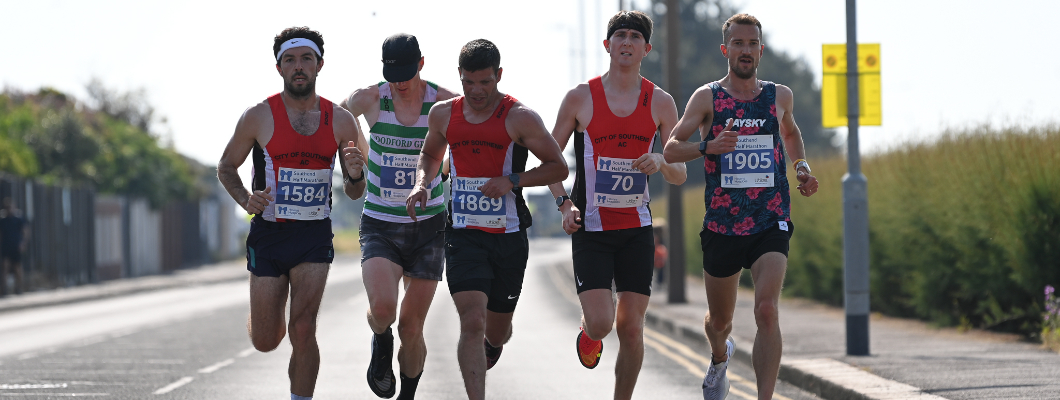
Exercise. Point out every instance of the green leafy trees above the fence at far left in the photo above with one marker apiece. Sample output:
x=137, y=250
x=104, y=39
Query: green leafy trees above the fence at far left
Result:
x=50, y=136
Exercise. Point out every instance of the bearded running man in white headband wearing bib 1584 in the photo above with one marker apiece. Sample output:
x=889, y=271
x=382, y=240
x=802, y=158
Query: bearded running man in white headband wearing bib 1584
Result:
x=295, y=136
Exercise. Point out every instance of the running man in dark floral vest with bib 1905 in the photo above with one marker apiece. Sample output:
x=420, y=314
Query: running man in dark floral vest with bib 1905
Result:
x=746, y=125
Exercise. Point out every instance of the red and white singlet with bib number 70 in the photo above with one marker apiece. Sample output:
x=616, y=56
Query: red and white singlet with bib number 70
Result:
x=611, y=195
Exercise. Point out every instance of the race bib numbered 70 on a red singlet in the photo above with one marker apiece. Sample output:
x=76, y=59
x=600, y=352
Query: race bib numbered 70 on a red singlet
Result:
x=619, y=185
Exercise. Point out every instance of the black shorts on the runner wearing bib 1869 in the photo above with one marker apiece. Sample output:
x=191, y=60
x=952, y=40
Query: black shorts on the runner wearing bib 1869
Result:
x=492, y=264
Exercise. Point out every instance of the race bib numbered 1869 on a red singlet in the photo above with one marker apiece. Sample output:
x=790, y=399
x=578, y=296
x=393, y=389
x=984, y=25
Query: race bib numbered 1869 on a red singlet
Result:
x=472, y=208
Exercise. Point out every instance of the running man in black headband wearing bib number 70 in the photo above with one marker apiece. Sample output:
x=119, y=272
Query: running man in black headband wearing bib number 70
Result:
x=608, y=214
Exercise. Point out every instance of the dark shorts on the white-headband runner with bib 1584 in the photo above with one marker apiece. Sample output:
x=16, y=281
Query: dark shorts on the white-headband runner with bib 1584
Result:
x=276, y=248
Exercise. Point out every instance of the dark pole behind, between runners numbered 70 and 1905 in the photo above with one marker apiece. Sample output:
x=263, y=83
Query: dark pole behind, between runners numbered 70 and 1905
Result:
x=676, y=269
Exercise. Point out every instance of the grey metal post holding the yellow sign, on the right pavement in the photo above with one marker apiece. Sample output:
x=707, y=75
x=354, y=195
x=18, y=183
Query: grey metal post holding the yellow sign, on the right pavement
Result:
x=855, y=211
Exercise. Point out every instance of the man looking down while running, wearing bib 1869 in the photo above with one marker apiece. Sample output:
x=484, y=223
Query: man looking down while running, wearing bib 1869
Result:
x=486, y=244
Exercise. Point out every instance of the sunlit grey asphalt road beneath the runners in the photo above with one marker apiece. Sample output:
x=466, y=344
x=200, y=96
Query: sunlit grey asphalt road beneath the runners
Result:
x=191, y=343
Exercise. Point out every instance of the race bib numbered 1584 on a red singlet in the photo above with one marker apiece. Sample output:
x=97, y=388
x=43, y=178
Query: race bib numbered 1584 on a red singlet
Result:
x=303, y=195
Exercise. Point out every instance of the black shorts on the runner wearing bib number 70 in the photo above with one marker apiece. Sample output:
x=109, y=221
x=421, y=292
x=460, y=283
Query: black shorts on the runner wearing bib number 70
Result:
x=626, y=256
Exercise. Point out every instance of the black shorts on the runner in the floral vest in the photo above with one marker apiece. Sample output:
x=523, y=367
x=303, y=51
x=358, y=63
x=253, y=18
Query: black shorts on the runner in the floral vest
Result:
x=725, y=256
